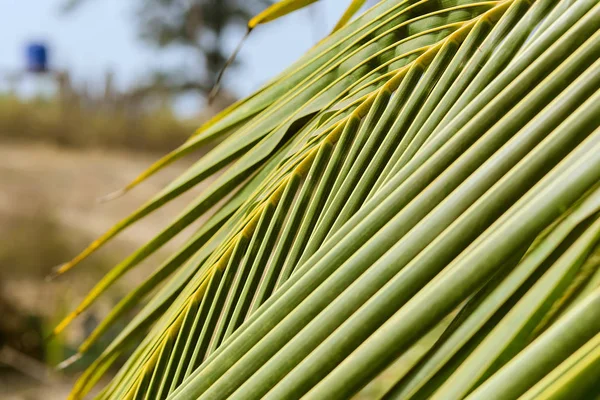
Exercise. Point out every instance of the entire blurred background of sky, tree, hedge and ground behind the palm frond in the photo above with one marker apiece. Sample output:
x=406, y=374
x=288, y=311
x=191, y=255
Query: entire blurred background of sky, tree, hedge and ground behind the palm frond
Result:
x=91, y=93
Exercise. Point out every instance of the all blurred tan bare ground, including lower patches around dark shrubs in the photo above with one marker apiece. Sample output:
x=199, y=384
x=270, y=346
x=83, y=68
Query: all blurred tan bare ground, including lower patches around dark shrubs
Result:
x=67, y=184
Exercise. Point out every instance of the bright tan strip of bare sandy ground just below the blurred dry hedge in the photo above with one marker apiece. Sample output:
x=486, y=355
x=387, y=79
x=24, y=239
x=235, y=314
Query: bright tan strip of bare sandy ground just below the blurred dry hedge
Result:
x=72, y=181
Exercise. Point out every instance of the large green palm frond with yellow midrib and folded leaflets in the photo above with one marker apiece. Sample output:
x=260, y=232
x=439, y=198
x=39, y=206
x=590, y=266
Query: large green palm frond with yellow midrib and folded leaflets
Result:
x=425, y=182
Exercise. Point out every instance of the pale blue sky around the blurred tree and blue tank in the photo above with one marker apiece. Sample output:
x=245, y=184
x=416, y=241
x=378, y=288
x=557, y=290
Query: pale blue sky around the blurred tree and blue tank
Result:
x=102, y=35
